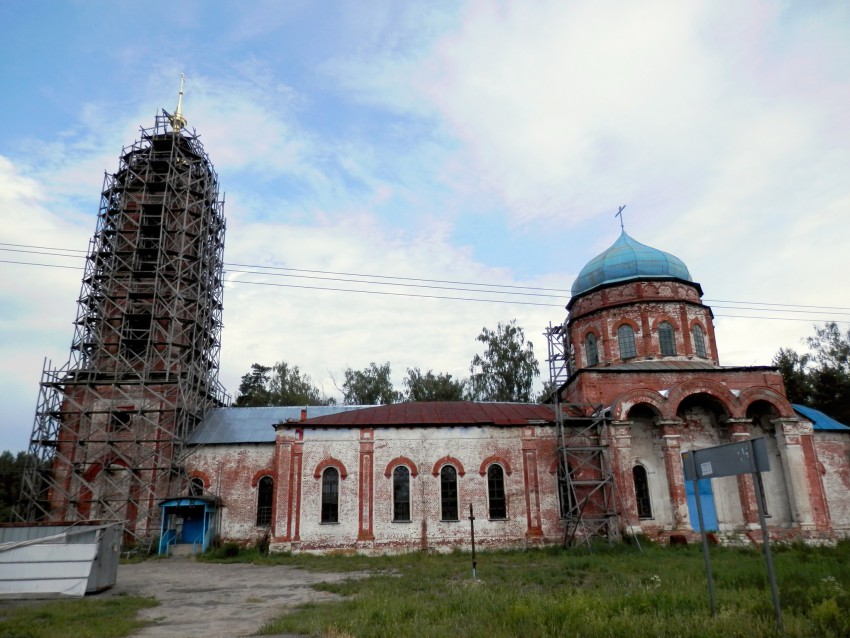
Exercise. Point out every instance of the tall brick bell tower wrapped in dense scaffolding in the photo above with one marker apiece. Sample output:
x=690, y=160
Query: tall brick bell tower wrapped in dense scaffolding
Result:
x=112, y=424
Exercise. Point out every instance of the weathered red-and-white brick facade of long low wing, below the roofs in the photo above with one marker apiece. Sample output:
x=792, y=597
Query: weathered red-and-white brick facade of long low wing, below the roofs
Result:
x=365, y=459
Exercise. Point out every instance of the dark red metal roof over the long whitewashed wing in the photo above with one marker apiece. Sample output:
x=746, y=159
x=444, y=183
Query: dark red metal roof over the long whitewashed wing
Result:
x=439, y=413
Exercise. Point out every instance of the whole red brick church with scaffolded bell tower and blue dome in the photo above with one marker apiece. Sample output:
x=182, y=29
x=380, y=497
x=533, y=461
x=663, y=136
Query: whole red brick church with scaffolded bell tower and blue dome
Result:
x=135, y=428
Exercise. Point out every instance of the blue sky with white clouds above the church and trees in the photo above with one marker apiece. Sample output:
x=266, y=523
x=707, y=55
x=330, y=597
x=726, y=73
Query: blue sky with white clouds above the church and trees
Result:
x=379, y=149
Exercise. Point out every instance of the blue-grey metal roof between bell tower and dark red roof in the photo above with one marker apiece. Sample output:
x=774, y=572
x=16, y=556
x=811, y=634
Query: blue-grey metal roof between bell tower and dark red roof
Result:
x=254, y=425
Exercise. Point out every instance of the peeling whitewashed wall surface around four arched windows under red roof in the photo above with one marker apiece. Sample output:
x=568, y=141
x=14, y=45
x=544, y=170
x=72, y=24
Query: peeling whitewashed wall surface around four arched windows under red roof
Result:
x=425, y=447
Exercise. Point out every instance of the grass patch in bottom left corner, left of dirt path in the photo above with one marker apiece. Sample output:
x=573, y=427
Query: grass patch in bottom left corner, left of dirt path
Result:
x=80, y=618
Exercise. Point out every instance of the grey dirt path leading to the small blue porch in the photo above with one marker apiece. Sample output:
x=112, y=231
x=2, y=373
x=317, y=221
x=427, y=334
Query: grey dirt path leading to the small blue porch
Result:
x=207, y=600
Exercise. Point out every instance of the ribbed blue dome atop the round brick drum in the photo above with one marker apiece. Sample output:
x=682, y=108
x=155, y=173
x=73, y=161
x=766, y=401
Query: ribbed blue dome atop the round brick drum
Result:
x=628, y=259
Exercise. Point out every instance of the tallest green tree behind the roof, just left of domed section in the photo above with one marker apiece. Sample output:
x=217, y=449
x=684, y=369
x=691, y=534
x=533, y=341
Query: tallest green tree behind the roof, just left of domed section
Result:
x=505, y=371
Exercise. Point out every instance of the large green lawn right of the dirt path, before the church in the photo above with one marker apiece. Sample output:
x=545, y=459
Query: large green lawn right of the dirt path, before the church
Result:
x=614, y=591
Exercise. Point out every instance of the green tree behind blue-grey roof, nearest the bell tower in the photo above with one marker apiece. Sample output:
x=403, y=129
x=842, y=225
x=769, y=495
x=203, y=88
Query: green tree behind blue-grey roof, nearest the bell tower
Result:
x=280, y=384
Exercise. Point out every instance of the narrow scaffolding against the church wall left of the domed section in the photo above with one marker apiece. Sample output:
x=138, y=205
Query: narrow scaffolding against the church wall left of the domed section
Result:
x=586, y=486
